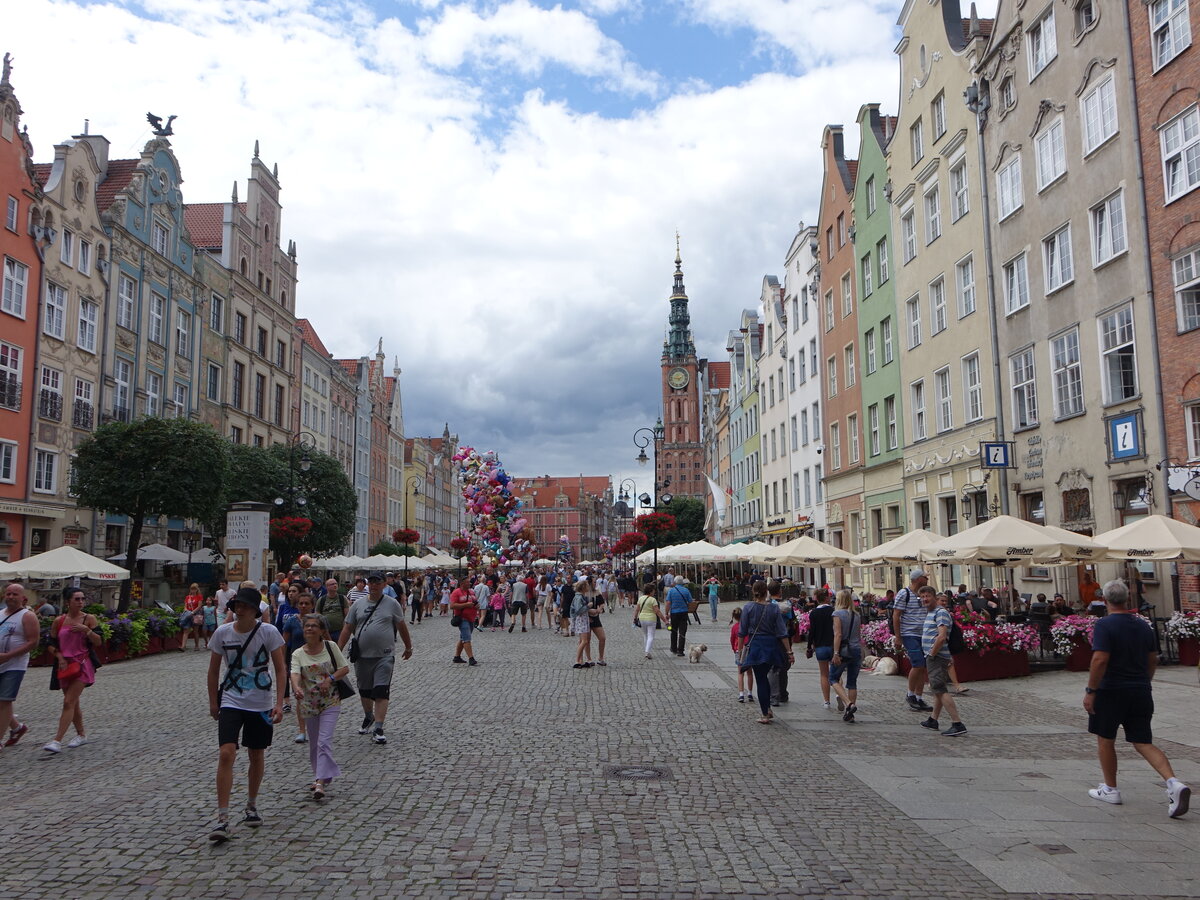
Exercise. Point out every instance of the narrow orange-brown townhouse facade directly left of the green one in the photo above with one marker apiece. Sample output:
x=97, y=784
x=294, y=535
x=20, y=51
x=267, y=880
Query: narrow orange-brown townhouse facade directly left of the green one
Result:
x=843, y=452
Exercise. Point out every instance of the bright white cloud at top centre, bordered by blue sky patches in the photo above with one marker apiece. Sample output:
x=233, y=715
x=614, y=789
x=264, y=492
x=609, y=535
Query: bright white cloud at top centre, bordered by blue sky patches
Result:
x=527, y=38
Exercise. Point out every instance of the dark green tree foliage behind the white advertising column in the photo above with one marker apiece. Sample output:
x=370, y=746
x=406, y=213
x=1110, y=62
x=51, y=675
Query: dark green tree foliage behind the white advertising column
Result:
x=266, y=475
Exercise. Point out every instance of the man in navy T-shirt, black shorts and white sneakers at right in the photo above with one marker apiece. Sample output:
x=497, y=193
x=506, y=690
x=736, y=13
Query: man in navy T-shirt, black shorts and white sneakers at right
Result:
x=1119, y=694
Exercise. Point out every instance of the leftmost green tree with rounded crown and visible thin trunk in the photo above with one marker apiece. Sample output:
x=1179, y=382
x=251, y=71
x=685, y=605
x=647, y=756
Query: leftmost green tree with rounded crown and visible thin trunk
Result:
x=151, y=467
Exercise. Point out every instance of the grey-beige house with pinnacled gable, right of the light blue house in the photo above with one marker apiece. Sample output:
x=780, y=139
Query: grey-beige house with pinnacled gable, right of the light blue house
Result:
x=253, y=297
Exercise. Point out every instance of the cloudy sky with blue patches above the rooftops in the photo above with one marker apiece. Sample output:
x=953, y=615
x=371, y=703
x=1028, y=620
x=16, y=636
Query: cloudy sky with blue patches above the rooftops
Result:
x=491, y=187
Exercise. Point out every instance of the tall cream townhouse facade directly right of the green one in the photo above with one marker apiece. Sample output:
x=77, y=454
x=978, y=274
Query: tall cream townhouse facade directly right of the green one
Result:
x=944, y=335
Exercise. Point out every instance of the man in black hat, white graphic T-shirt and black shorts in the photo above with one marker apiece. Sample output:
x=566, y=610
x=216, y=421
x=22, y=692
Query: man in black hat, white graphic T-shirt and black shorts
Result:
x=242, y=701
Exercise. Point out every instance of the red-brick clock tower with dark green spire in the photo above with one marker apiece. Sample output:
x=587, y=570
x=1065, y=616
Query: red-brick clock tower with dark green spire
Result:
x=681, y=454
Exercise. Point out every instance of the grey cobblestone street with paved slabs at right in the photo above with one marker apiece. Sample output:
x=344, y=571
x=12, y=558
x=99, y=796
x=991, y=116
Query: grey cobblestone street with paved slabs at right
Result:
x=496, y=784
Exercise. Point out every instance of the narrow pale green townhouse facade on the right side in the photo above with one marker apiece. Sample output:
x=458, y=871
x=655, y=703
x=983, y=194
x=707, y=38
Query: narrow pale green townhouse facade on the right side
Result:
x=883, y=388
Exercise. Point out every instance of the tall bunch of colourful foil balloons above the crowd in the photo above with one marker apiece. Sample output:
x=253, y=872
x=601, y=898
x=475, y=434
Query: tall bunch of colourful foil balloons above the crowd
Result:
x=496, y=519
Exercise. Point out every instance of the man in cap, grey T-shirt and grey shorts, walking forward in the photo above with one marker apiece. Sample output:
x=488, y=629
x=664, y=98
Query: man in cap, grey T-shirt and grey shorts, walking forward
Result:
x=374, y=622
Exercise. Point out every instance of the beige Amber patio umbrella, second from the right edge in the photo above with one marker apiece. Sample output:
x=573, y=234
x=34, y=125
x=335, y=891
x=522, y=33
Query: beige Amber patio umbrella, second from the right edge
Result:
x=1007, y=541
